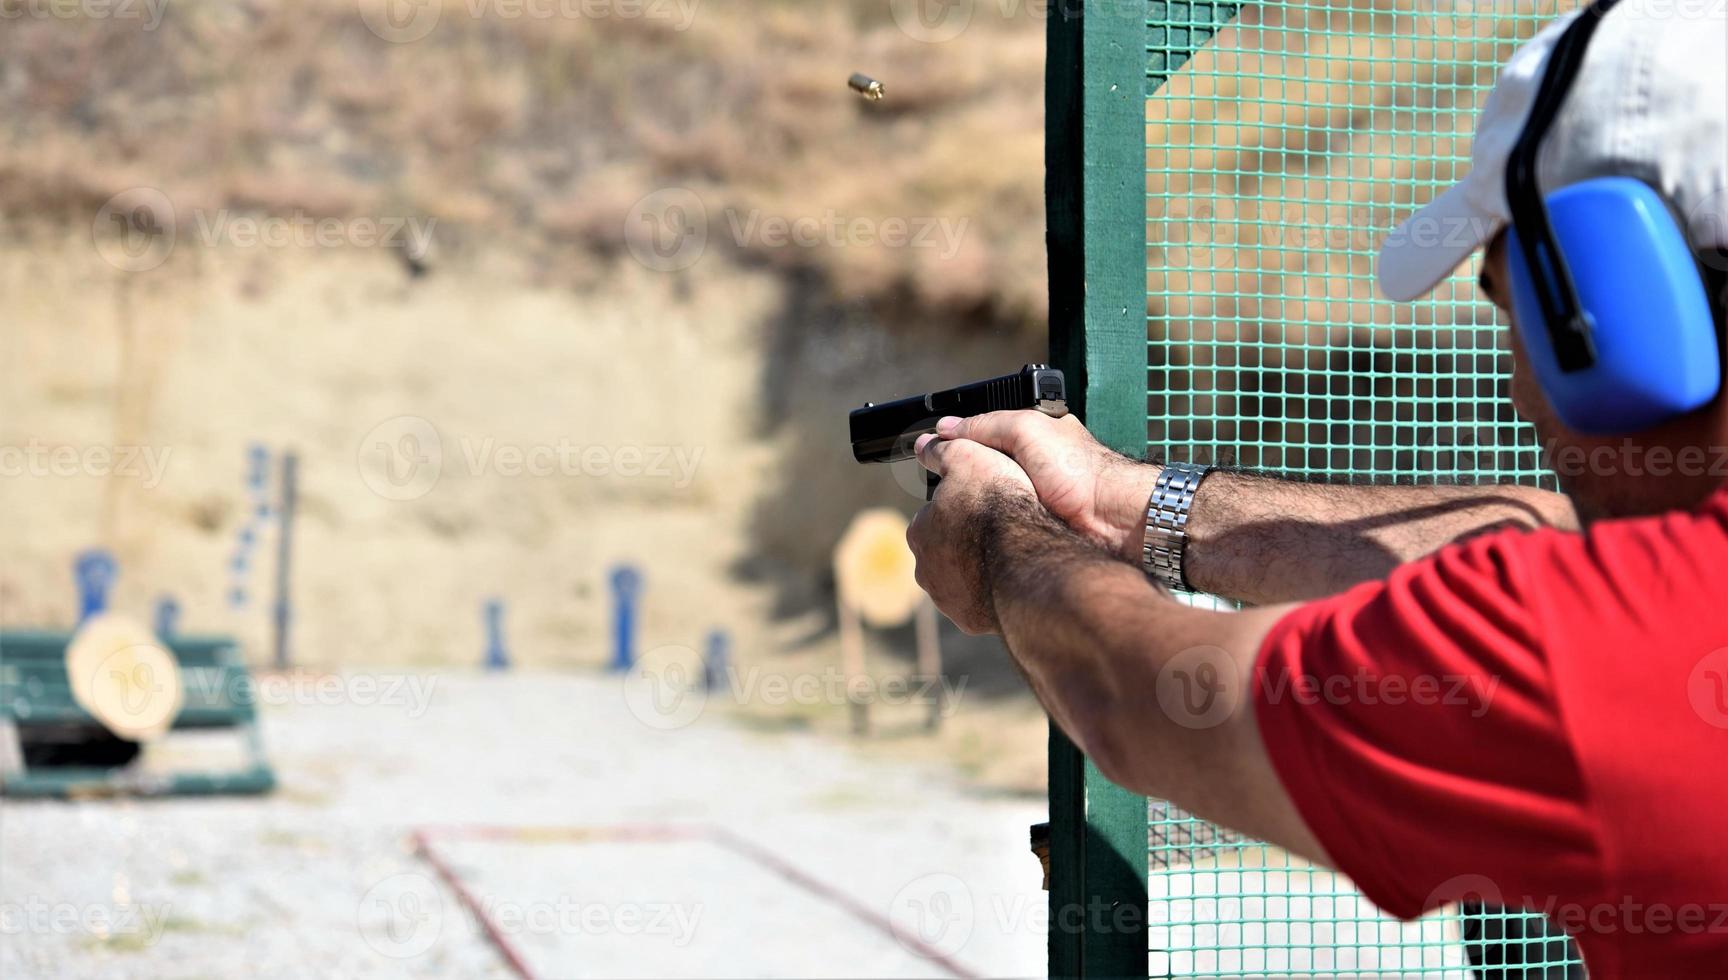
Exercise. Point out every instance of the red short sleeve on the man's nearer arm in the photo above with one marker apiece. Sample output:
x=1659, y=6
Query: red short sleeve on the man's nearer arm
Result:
x=1416, y=725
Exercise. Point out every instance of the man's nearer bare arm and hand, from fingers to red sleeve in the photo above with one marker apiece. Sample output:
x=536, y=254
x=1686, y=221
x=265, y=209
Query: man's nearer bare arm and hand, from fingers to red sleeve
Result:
x=1155, y=692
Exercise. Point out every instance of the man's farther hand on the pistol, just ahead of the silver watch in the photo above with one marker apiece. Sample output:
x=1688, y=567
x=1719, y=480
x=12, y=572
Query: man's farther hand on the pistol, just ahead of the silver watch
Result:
x=1091, y=488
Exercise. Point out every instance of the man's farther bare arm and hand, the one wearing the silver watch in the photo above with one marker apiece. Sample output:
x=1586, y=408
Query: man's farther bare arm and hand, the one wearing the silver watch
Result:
x=1255, y=538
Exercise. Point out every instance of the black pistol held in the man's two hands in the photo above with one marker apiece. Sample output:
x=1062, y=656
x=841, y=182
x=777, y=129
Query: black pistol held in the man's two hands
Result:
x=889, y=433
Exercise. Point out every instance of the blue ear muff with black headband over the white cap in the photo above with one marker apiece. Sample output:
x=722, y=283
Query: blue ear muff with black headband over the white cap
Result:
x=1606, y=288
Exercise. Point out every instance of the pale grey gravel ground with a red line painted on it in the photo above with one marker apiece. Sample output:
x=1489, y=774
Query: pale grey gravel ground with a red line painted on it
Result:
x=322, y=877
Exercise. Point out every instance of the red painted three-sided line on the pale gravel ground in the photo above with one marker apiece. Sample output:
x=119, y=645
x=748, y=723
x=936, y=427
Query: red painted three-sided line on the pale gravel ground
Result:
x=663, y=834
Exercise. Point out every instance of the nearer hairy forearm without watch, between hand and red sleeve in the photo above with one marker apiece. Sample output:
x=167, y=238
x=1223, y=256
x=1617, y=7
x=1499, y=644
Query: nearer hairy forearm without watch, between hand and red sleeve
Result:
x=1105, y=652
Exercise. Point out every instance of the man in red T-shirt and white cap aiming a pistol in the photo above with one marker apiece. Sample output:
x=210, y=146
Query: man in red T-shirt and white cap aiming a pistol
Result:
x=1509, y=696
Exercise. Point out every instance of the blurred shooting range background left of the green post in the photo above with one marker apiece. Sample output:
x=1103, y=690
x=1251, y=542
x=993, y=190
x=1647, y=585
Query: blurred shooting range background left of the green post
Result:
x=557, y=309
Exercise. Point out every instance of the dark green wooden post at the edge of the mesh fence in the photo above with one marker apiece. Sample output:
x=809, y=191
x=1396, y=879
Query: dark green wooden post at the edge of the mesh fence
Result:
x=1096, y=236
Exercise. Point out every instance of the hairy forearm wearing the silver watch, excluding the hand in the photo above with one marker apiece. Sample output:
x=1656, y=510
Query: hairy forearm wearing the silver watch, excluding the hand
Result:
x=1267, y=540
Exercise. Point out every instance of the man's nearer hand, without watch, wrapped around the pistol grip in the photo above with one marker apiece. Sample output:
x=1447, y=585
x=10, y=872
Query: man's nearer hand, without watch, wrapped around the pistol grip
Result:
x=951, y=537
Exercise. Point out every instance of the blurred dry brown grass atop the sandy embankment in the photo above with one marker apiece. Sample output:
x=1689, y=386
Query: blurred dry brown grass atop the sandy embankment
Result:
x=549, y=130
